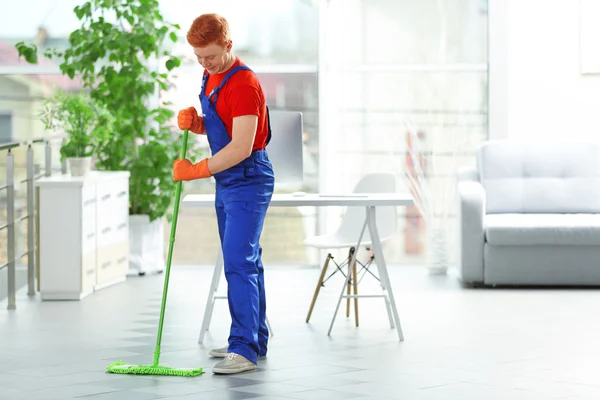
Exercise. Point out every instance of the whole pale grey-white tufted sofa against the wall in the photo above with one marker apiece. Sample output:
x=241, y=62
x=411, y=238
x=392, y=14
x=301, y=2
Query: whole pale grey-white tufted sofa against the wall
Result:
x=529, y=214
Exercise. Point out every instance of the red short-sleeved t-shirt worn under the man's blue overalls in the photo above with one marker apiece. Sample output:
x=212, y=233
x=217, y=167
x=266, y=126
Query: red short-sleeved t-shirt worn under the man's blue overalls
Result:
x=241, y=95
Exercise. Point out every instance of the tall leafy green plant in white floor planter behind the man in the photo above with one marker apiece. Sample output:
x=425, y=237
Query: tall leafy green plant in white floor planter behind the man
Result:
x=125, y=62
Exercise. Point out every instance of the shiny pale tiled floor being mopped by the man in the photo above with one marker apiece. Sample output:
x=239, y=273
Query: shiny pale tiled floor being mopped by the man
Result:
x=459, y=343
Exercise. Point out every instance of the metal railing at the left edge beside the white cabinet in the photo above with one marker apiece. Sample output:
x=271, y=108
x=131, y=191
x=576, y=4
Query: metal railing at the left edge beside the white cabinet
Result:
x=33, y=173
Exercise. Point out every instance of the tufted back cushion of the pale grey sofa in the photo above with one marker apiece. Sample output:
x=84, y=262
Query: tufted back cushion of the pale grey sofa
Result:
x=542, y=177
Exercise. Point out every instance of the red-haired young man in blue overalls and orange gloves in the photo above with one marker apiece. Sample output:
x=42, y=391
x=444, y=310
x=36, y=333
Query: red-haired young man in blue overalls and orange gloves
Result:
x=235, y=120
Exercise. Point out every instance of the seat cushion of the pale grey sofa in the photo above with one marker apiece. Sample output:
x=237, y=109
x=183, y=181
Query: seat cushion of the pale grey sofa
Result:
x=542, y=229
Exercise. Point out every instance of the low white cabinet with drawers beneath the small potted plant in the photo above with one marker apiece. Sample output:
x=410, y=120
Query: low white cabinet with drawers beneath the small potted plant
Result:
x=84, y=233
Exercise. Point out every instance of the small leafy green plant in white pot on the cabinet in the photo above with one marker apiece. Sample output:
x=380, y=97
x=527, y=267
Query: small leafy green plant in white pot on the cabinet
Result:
x=85, y=123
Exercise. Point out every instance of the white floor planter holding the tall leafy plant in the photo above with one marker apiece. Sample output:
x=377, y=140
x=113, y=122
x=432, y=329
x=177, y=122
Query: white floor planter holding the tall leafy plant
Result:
x=146, y=245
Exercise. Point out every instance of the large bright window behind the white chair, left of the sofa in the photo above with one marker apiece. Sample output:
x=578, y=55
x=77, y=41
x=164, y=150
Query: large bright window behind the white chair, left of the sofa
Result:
x=394, y=66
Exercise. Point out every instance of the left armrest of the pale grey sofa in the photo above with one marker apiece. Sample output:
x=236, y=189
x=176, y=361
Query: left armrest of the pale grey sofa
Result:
x=471, y=234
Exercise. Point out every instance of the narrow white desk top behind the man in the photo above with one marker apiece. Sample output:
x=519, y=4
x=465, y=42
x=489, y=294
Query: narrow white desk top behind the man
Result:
x=316, y=200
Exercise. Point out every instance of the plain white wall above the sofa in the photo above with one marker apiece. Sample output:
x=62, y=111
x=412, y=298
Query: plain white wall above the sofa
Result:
x=536, y=88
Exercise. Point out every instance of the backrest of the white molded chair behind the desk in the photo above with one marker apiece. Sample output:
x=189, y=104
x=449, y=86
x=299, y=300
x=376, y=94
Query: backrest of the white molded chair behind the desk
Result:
x=354, y=218
